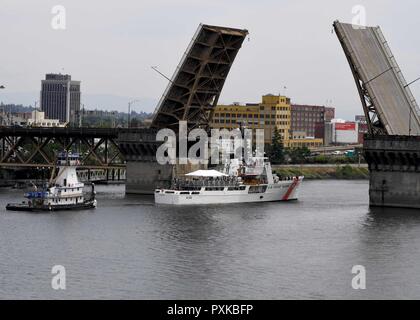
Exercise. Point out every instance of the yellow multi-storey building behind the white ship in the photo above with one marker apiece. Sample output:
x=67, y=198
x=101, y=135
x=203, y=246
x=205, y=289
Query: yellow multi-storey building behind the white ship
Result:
x=273, y=112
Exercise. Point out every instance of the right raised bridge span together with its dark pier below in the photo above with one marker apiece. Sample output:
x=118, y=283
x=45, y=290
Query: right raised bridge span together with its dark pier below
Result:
x=392, y=148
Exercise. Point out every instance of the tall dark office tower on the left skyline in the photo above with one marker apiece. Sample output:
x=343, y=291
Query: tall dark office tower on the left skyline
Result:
x=60, y=98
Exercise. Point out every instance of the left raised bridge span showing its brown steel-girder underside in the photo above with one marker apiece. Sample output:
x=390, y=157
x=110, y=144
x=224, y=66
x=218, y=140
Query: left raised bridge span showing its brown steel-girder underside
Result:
x=194, y=89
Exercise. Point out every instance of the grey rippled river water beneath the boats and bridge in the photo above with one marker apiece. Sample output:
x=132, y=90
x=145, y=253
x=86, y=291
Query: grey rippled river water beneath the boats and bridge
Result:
x=128, y=248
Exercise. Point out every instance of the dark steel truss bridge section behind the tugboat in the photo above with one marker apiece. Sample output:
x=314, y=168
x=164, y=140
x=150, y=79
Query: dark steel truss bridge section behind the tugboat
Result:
x=38, y=147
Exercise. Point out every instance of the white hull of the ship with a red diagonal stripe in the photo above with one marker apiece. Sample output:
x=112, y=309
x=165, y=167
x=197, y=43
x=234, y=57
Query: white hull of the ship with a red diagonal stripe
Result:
x=281, y=191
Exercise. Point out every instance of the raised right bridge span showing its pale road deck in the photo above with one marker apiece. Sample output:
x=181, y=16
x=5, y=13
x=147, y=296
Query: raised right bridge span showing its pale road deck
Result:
x=387, y=101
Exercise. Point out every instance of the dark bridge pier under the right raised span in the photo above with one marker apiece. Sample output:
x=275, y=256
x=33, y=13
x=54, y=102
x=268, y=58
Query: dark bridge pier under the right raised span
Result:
x=394, y=165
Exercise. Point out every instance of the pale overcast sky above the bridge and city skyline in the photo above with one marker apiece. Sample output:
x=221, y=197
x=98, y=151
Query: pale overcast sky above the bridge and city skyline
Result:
x=110, y=47
